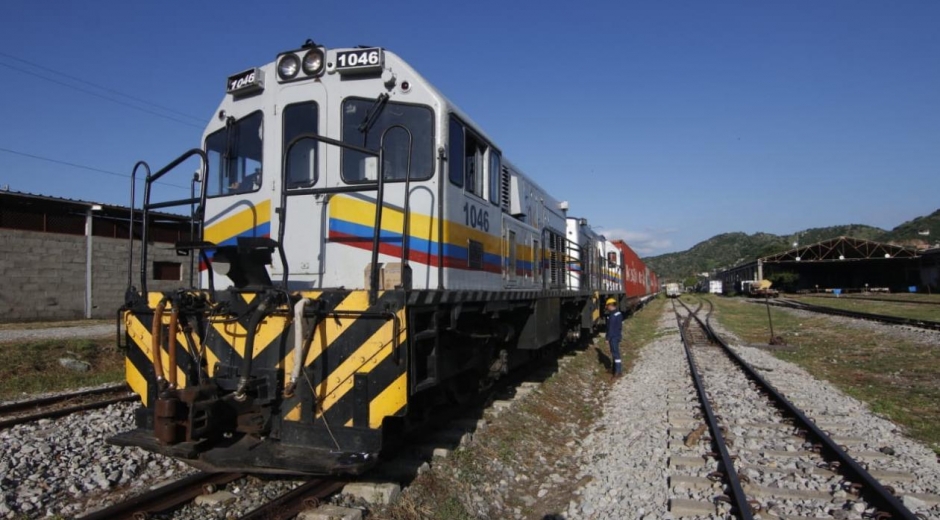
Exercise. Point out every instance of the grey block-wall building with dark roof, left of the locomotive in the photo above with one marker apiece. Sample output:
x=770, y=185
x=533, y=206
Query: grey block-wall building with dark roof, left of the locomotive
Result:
x=63, y=259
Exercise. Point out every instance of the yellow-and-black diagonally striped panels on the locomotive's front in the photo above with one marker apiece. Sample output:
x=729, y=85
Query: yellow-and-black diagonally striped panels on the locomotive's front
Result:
x=353, y=376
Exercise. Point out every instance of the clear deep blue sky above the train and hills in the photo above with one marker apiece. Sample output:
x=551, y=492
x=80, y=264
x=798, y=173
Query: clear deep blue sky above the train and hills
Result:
x=665, y=122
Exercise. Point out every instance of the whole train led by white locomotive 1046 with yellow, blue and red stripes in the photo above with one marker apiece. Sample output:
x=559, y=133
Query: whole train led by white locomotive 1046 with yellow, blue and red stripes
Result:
x=368, y=254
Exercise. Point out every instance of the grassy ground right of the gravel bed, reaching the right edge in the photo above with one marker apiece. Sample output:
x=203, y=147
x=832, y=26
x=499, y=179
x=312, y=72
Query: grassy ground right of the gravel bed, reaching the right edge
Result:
x=898, y=378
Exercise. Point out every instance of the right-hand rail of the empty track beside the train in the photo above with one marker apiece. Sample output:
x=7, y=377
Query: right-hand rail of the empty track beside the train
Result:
x=874, y=492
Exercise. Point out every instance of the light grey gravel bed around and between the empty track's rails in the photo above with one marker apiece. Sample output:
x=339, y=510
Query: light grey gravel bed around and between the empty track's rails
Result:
x=626, y=459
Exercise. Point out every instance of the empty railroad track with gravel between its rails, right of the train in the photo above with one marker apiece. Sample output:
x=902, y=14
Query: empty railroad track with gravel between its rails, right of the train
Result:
x=753, y=448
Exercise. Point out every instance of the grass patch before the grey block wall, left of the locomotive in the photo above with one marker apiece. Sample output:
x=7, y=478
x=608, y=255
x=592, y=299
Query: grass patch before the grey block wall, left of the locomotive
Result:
x=33, y=367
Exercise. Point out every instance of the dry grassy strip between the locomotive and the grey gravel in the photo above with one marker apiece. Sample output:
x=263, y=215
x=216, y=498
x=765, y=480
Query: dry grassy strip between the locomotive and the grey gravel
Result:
x=520, y=450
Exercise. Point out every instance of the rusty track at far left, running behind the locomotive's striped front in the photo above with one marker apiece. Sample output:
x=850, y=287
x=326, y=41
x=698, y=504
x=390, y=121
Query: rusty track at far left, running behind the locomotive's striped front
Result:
x=60, y=405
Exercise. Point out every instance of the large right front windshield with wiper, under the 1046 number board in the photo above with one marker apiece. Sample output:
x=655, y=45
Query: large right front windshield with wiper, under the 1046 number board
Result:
x=418, y=119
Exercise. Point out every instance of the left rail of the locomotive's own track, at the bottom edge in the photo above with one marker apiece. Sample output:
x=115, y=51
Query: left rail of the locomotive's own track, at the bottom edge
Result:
x=163, y=498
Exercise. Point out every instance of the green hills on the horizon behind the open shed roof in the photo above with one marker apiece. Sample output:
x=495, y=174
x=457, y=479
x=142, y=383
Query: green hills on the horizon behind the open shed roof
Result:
x=729, y=249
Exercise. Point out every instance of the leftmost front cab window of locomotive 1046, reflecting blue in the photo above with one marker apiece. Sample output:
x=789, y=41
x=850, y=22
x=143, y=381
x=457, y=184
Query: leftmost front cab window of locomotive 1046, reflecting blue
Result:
x=235, y=157
